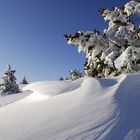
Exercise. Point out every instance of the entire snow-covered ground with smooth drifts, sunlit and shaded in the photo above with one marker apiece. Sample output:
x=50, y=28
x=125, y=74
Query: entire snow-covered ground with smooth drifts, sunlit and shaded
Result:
x=85, y=109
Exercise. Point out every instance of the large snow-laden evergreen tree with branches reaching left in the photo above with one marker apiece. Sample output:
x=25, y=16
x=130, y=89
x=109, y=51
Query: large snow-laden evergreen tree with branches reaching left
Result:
x=116, y=50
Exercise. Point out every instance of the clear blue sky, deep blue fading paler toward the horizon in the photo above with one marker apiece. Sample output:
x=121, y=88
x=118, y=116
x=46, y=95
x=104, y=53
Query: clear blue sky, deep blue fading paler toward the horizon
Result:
x=31, y=35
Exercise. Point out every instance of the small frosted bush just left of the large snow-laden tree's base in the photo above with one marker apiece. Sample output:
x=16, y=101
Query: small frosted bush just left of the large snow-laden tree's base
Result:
x=74, y=74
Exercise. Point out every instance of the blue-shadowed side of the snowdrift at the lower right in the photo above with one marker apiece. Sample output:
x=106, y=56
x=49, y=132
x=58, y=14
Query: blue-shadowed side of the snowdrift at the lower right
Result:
x=128, y=97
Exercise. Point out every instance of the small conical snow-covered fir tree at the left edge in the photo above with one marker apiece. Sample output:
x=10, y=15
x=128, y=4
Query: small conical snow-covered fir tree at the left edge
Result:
x=9, y=85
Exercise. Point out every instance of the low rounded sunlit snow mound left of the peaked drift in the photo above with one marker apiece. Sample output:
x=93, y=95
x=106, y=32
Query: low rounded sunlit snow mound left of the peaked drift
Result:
x=53, y=88
